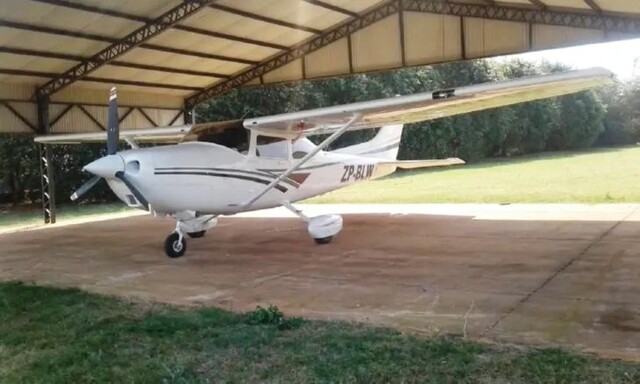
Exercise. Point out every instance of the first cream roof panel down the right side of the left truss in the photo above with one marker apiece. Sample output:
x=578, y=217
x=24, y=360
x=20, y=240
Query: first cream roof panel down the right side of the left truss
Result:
x=232, y=24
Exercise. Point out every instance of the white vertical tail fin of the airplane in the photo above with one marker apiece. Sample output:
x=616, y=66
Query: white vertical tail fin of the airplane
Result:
x=384, y=145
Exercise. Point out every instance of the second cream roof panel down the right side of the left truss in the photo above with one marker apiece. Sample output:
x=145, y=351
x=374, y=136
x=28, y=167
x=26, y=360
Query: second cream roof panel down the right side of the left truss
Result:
x=200, y=43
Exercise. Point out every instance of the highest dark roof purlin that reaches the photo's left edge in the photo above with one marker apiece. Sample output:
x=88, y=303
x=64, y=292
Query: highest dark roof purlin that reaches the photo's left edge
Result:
x=89, y=36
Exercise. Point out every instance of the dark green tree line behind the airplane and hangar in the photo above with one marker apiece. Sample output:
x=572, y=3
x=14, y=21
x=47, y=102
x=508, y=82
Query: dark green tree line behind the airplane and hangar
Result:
x=603, y=117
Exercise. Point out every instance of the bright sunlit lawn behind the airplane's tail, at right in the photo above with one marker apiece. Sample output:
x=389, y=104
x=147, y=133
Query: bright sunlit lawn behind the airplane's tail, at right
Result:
x=595, y=176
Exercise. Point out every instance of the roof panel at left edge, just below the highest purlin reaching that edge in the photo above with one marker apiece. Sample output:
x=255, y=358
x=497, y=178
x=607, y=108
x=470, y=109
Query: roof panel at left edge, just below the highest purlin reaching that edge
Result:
x=47, y=42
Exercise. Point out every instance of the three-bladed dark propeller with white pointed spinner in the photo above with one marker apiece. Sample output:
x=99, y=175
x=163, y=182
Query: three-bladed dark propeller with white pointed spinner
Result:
x=112, y=165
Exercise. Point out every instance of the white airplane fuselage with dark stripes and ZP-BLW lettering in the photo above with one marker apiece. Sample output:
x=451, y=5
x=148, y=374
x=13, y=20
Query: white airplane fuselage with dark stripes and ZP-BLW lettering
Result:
x=212, y=179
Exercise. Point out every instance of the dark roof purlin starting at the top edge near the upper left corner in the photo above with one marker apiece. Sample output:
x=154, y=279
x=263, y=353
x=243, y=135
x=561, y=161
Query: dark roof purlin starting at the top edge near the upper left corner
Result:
x=140, y=19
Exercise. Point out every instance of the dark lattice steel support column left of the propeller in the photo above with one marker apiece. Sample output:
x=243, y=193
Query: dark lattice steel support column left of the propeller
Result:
x=47, y=182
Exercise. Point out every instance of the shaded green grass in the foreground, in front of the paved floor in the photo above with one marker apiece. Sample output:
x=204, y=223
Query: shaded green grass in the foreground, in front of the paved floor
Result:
x=52, y=335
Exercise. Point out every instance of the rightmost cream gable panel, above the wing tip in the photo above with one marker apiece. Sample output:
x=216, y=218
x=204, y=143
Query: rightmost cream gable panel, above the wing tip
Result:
x=551, y=36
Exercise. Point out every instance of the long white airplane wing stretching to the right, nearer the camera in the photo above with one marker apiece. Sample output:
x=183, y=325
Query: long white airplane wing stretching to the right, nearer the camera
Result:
x=428, y=105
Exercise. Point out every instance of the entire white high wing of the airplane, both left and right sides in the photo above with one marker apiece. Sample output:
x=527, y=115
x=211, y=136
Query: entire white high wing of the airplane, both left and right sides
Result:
x=374, y=113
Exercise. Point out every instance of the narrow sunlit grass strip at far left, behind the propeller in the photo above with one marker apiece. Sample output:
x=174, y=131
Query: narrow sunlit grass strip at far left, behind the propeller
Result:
x=32, y=215
